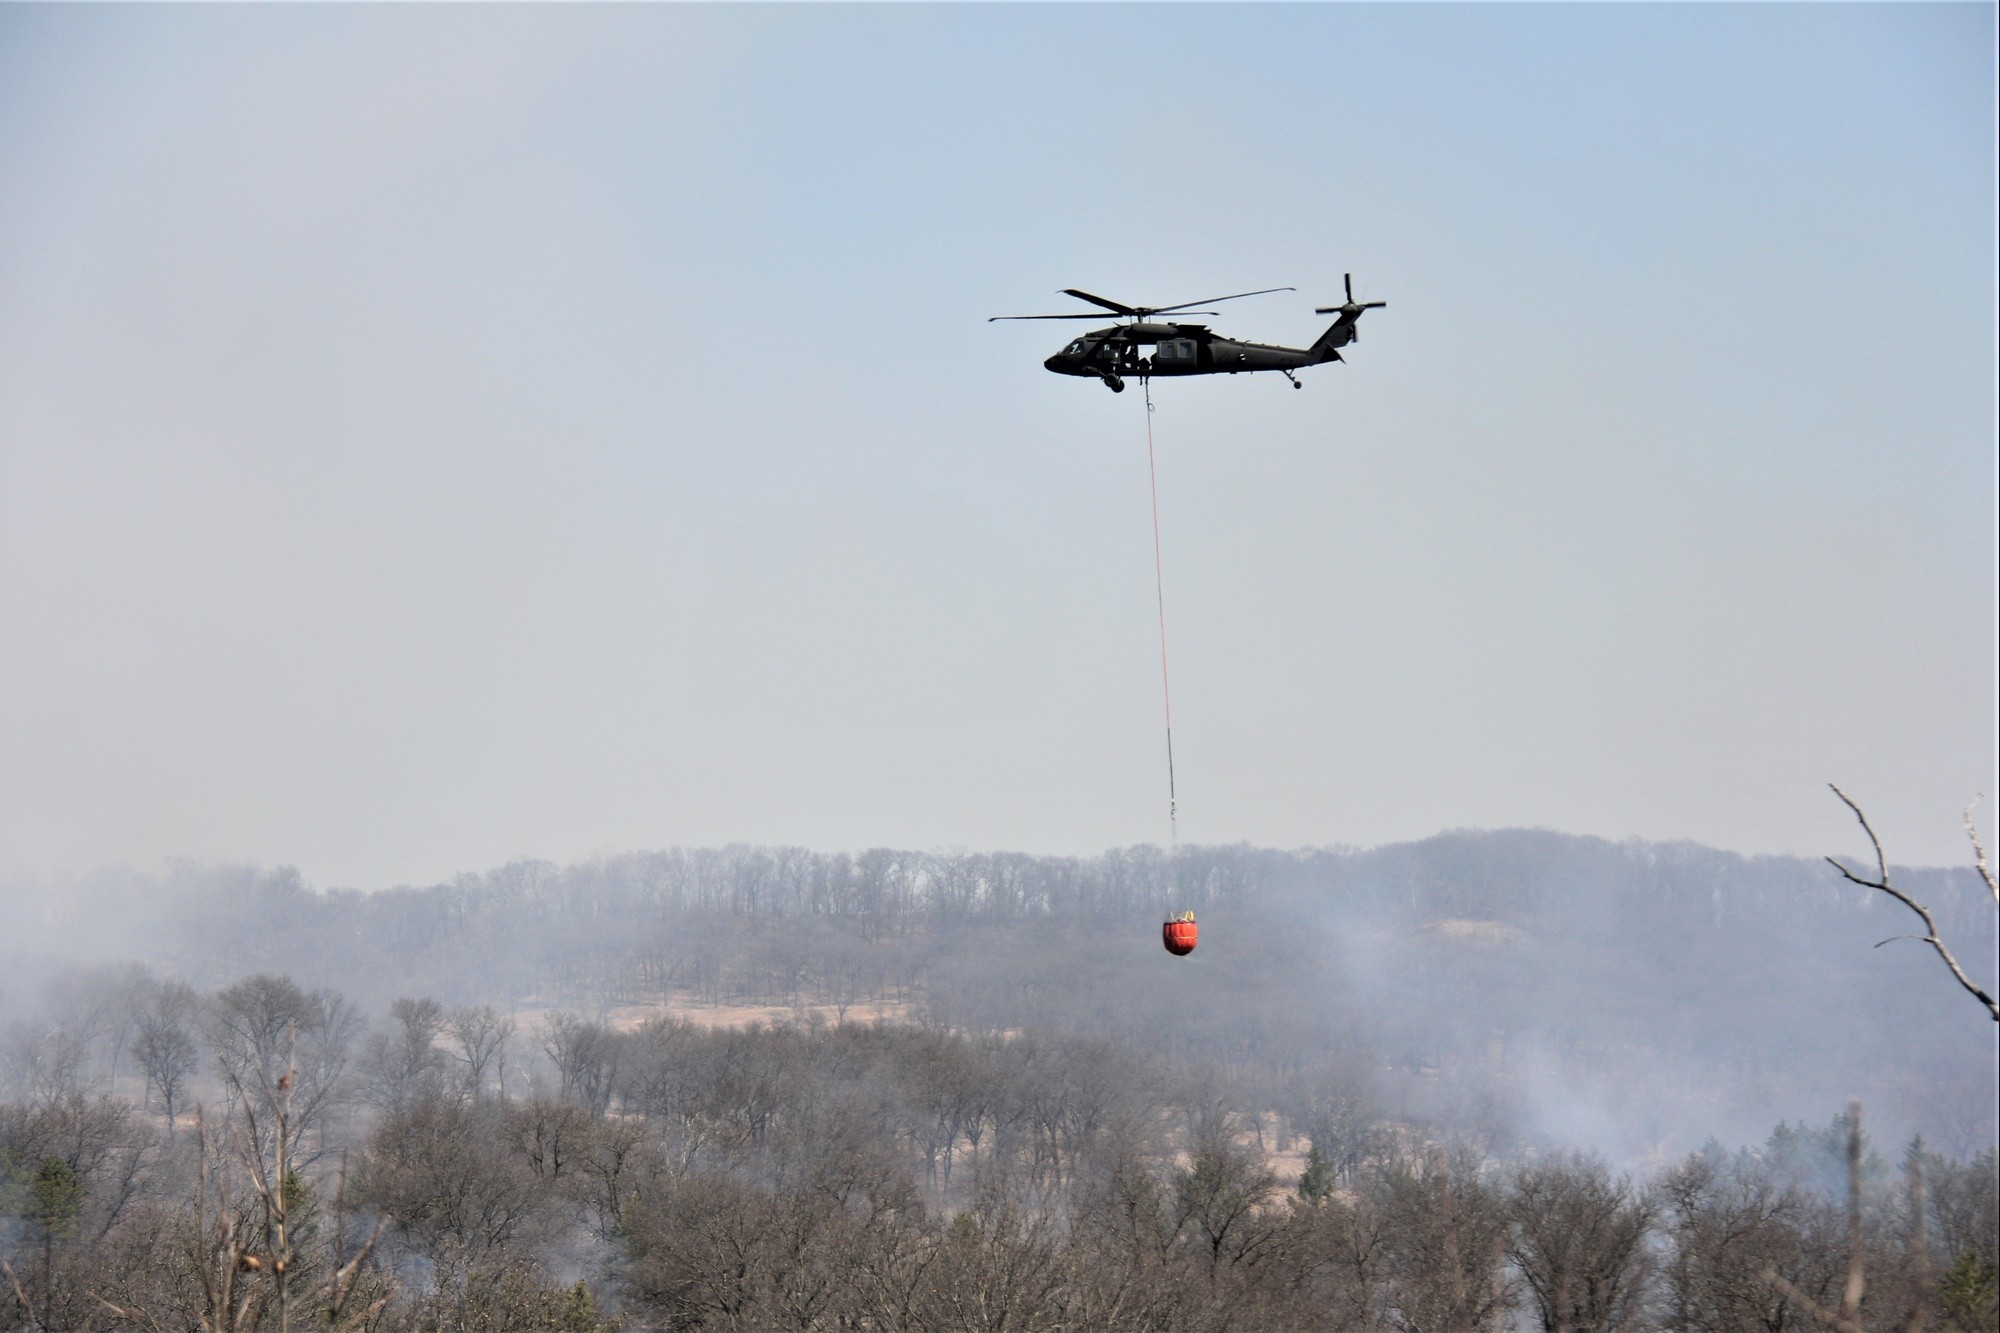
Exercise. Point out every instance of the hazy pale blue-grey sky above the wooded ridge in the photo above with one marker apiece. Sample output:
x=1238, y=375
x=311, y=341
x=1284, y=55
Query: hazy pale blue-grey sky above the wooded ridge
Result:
x=443, y=435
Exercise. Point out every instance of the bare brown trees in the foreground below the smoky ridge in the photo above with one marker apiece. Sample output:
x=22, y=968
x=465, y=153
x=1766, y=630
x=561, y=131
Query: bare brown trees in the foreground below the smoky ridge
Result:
x=267, y=1154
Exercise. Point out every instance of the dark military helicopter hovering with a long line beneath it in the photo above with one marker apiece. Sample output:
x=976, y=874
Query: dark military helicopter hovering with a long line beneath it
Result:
x=1191, y=349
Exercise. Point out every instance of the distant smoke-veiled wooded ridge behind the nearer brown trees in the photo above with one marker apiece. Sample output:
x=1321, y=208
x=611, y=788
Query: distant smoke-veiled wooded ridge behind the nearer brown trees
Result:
x=1669, y=990
